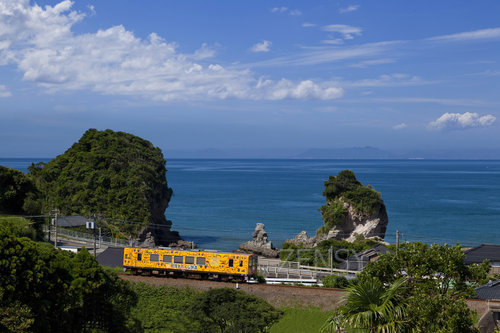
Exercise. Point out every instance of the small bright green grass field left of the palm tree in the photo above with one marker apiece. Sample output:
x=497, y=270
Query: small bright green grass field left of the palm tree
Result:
x=301, y=320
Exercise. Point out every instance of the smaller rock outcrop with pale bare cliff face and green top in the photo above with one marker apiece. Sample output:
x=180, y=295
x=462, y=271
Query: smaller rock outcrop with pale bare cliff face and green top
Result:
x=351, y=210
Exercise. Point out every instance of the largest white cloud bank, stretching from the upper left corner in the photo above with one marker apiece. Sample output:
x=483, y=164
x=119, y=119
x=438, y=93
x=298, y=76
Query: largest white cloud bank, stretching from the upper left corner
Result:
x=40, y=42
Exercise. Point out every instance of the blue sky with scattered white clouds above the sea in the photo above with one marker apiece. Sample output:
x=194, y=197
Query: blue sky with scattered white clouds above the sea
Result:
x=270, y=75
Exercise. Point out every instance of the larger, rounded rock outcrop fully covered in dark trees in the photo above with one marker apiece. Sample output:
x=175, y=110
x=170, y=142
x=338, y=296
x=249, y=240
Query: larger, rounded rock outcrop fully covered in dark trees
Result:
x=115, y=175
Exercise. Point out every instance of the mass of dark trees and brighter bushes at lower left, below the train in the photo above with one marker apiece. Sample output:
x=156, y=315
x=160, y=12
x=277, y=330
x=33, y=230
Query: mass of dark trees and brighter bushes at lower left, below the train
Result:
x=43, y=289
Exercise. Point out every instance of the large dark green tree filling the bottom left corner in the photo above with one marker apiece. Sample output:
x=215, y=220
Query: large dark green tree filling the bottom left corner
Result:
x=47, y=290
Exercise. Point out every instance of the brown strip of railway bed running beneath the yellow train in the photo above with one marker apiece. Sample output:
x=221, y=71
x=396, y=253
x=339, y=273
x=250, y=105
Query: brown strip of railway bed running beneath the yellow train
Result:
x=277, y=295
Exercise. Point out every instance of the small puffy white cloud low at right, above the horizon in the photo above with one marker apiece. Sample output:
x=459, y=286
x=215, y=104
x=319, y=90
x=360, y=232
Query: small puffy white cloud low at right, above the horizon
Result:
x=461, y=121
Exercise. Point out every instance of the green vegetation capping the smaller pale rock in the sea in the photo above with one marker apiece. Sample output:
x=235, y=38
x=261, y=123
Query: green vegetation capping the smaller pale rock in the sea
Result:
x=346, y=188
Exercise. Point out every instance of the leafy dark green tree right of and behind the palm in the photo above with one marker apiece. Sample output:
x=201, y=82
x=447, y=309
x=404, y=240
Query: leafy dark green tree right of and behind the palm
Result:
x=439, y=282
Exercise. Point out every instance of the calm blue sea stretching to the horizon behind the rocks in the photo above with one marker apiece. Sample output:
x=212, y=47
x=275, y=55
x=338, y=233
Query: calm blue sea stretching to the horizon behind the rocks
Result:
x=217, y=203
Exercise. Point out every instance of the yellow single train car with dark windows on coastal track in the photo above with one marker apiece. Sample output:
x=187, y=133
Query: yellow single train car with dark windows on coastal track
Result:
x=191, y=263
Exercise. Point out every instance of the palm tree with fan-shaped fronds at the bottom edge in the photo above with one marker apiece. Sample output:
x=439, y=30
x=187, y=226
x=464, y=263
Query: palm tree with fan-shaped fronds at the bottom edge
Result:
x=370, y=307
